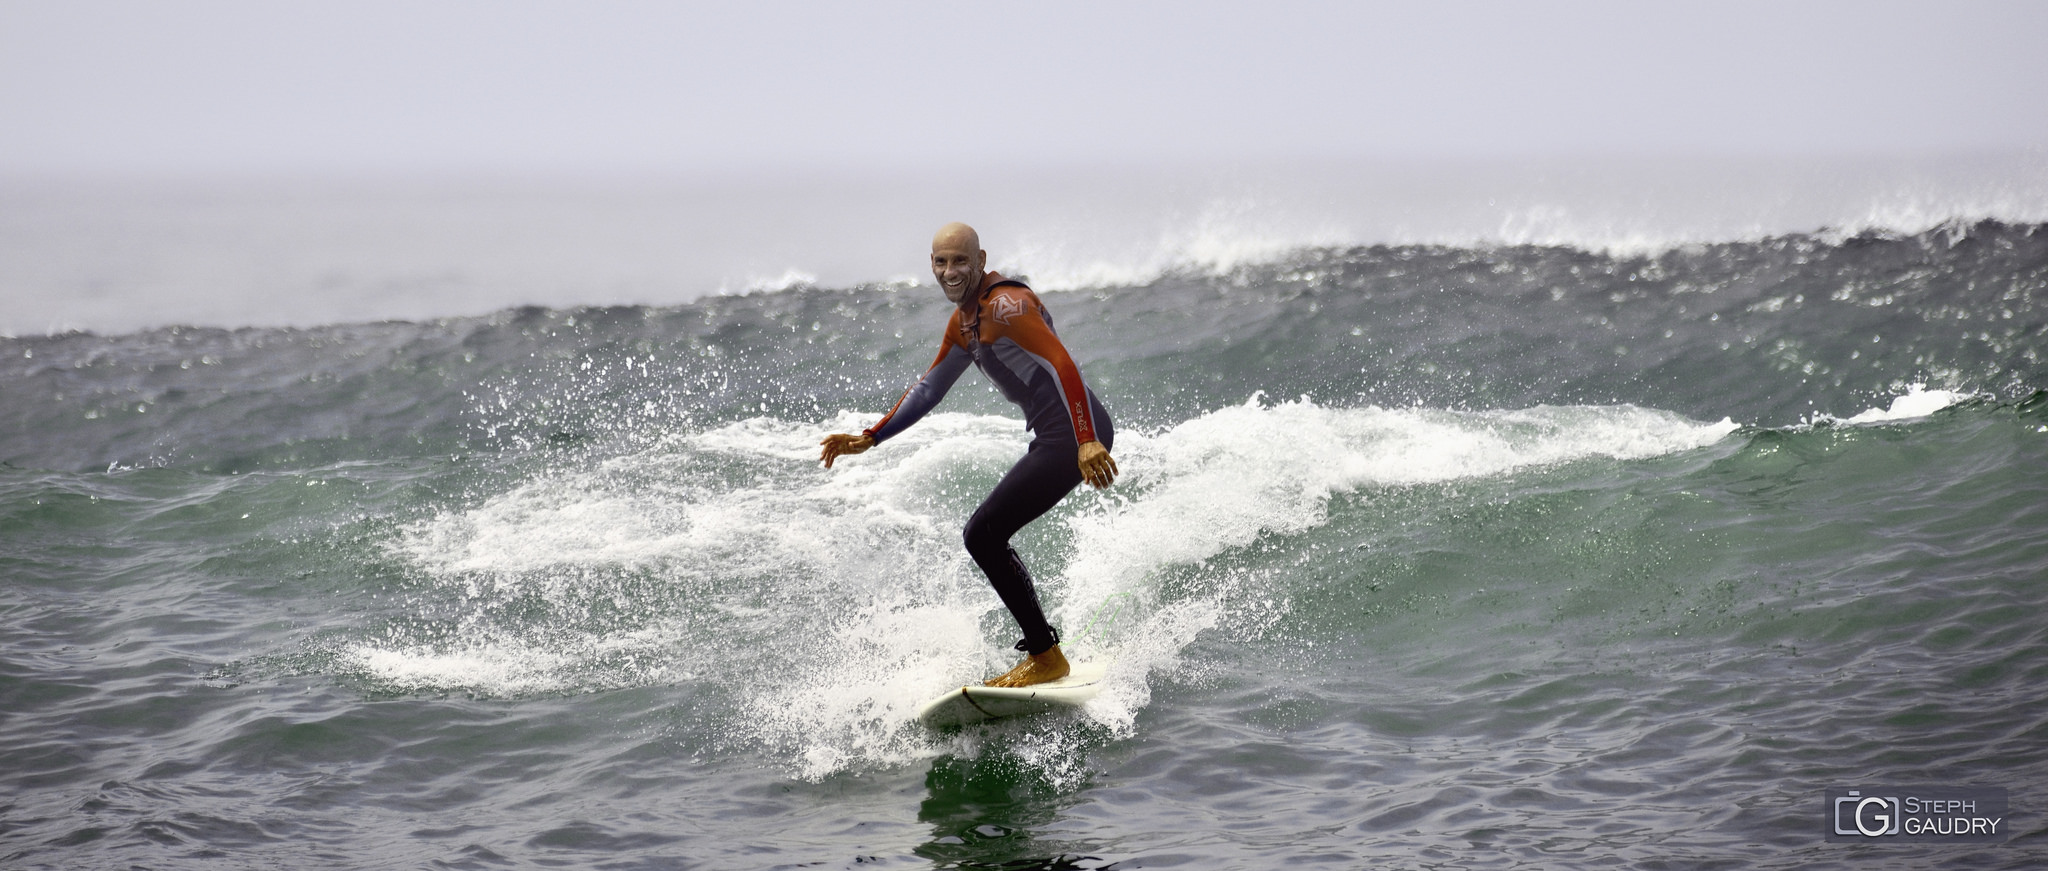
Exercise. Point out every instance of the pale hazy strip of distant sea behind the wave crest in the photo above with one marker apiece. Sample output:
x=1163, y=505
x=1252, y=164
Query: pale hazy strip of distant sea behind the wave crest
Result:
x=120, y=259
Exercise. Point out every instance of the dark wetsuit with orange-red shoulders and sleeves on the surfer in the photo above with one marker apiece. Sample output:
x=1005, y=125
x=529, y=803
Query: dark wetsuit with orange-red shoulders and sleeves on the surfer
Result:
x=1005, y=331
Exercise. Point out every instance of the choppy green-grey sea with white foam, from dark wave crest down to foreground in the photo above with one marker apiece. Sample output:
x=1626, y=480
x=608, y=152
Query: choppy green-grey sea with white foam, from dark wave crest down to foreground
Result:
x=1517, y=554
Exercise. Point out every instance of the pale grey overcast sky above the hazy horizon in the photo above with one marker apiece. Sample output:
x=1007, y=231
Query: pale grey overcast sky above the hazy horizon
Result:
x=503, y=87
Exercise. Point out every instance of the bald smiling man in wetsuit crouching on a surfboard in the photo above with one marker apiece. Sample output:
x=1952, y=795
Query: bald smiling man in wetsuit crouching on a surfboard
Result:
x=1002, y=329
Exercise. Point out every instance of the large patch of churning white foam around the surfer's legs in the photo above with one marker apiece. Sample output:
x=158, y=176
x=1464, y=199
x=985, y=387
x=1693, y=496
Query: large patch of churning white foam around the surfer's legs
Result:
x=855, y=579
